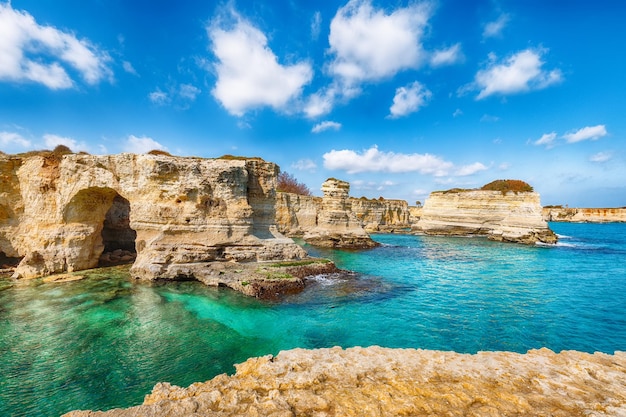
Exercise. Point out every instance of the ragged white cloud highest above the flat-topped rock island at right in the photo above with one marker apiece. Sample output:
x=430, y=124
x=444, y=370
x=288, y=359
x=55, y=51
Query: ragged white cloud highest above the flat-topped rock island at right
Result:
x=520, y=72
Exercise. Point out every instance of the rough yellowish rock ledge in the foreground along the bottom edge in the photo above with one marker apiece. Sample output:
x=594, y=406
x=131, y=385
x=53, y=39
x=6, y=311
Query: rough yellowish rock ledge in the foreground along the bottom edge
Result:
x=379, y=381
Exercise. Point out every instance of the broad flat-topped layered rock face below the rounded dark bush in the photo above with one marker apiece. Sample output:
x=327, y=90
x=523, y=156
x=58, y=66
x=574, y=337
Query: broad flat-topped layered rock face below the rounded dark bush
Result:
x=511, y=217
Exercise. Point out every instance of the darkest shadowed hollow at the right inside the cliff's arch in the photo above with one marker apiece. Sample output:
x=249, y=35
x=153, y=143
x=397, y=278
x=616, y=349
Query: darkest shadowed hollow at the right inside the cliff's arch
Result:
x=118, y=237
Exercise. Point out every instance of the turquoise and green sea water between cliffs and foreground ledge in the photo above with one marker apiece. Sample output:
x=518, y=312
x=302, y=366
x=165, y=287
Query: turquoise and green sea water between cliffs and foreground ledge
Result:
x=105, y=341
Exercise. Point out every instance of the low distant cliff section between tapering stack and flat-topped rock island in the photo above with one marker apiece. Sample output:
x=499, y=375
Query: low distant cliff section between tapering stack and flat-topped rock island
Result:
x=382, y=215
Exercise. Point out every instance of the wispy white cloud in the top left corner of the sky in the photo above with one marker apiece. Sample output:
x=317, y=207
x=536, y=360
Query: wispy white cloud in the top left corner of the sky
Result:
x=30, y=52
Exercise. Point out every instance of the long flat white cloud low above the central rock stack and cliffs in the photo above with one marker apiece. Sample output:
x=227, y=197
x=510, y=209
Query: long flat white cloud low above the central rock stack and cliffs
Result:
x=373, y=160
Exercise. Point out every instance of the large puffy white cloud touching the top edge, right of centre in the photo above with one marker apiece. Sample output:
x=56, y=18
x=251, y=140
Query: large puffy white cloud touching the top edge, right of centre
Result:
x=369, y=44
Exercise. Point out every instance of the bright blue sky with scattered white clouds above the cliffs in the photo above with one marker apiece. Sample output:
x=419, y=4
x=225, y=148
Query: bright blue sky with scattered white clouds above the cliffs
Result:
x=400, y=98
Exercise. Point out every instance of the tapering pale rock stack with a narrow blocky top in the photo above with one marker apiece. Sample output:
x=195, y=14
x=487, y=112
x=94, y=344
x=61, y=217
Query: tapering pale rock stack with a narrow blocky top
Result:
x=337, y=226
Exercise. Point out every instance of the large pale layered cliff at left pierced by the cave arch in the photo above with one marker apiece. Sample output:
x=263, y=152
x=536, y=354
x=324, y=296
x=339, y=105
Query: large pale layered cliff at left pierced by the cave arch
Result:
x=58, y=213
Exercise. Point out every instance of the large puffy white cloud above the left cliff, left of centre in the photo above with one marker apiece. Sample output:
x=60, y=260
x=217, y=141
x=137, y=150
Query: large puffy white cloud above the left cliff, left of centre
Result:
x=248, y=73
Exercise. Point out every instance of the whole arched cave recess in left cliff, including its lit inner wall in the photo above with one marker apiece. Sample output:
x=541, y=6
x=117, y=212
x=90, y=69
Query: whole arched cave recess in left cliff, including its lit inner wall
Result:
x=103, y=215
